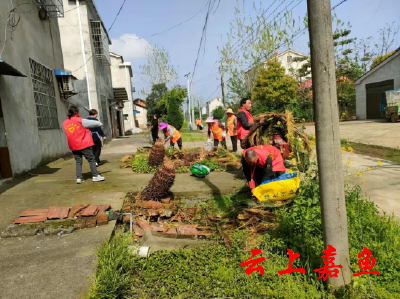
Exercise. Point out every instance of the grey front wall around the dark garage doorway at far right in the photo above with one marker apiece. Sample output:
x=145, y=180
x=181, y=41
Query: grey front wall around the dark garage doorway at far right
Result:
x=388, y=71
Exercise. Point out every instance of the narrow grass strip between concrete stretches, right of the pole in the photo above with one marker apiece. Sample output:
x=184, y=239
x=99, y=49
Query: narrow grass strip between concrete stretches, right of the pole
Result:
x=375, y=151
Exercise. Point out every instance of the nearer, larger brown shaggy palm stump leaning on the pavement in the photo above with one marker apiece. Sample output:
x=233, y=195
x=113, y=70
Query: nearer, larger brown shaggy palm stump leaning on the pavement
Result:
x=160, y=184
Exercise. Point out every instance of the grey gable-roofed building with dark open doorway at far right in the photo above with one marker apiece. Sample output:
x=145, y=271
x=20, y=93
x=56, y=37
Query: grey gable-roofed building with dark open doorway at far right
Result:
x=371, y=86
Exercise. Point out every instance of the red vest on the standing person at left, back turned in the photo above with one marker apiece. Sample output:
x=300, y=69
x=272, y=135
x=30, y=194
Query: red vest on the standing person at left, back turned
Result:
x=78, y=136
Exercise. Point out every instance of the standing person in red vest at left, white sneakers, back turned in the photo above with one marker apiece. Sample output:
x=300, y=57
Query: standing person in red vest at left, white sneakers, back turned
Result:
x=80, y=142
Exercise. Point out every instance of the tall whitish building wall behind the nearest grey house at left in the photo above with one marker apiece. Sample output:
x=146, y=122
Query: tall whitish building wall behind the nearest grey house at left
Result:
x=99, y=76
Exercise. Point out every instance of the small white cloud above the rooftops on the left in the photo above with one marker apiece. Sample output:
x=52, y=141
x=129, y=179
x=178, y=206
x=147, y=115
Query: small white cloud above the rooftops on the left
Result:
x=130, y=47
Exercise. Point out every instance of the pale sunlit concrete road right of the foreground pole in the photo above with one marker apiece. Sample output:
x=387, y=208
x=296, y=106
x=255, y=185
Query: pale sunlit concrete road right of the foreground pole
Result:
x=382, y=184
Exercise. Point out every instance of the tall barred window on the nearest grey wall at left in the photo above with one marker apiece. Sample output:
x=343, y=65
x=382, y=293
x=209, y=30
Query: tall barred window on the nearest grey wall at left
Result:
x=44, y=94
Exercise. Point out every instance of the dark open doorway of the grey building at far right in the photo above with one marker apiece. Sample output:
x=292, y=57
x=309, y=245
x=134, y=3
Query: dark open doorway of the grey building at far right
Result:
x=374, y=96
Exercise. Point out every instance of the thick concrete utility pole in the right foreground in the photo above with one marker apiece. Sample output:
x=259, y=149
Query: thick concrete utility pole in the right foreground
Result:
x=329, y=155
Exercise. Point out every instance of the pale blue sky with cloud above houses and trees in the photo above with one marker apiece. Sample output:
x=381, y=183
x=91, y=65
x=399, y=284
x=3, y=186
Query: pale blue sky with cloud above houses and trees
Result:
x=142, y=18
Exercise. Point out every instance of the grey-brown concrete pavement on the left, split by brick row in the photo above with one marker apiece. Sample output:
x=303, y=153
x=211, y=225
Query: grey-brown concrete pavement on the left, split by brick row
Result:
x=63, y=267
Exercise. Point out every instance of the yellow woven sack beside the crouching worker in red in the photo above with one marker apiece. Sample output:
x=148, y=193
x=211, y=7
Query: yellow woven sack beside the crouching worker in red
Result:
x=282, y=188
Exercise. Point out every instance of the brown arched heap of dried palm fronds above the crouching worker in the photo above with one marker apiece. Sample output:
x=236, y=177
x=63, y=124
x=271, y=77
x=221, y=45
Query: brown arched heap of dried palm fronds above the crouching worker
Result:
x=282, y=124
